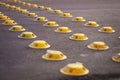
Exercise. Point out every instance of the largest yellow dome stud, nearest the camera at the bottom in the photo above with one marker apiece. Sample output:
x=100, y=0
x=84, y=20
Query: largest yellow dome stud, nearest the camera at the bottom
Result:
x=74, y=69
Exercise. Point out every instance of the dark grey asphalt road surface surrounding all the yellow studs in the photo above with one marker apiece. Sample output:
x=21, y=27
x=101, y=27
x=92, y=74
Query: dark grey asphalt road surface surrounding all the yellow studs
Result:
x=19, y=62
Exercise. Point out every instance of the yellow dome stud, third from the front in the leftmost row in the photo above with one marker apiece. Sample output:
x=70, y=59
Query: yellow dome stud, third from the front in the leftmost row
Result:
x=39, y=44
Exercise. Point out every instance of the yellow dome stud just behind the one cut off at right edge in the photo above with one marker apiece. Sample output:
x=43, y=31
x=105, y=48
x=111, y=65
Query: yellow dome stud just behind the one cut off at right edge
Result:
x=98, y=45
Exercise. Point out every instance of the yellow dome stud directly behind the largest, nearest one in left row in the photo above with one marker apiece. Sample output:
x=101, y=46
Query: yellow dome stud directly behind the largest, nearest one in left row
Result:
x=54, y=55
